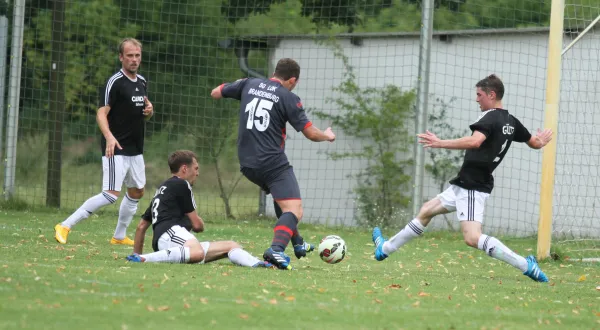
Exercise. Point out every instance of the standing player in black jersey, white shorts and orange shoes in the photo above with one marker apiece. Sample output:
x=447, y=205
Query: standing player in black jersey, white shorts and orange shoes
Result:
x=124, y=109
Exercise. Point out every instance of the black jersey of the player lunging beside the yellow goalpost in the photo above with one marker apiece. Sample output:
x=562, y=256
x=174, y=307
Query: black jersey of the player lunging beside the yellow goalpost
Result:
x=501, y=129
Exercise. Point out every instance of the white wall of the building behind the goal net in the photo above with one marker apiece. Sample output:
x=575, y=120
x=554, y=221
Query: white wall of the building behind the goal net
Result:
x=456, y=65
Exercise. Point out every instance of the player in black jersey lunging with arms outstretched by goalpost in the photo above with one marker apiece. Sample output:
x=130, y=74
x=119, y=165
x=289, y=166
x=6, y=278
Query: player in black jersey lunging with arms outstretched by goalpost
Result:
x=492, y=135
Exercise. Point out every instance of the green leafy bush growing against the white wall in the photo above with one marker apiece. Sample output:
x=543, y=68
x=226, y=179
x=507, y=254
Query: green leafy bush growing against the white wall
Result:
x=378, y=118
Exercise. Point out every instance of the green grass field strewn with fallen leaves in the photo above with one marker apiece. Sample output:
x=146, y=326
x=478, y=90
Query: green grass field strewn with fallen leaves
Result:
x=435, y=282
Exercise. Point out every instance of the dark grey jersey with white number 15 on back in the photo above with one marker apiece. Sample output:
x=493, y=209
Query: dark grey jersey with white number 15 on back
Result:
x=265, y=108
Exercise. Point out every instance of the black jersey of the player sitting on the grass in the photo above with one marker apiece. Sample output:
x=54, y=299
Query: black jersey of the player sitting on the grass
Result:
x=172, y=200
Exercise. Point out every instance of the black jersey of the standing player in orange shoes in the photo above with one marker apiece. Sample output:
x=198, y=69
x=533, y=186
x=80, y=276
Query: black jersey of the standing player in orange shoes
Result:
x=126, y=118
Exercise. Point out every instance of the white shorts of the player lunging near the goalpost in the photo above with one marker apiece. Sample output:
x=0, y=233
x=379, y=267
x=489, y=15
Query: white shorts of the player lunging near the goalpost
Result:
x=468, y=204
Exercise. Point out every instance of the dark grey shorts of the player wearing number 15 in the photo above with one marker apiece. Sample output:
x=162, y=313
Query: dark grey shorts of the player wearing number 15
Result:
x=280, y=182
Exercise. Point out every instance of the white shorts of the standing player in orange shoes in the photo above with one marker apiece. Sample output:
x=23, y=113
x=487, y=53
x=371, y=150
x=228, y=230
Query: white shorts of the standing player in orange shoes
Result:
x=119, y=169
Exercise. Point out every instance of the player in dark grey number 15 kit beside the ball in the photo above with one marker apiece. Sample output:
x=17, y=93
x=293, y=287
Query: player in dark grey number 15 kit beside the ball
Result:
x=265, y=108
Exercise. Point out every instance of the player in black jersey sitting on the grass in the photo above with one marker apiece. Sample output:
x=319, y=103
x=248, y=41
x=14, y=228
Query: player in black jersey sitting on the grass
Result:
x=172, y=214
